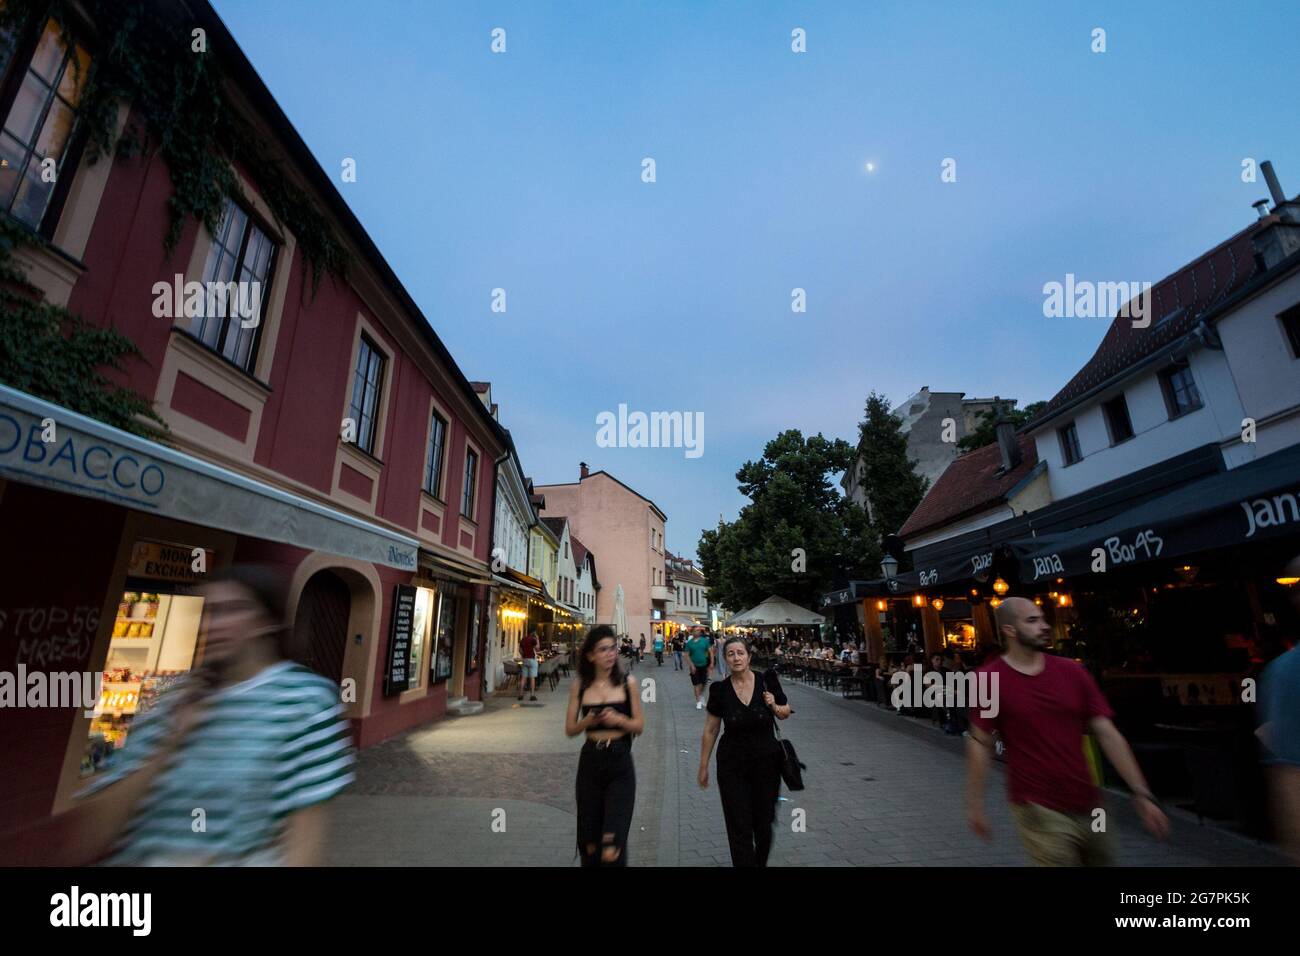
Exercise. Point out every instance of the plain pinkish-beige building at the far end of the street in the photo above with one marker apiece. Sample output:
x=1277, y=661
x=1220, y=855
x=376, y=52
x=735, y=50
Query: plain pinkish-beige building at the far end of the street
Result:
x=626, y=530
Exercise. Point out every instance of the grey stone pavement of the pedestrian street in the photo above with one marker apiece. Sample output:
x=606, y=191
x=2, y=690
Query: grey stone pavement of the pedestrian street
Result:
x=882, y=791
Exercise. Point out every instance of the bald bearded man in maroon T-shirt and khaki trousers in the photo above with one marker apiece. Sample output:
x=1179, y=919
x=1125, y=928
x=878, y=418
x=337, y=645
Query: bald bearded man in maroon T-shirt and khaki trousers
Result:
x=1047, y=704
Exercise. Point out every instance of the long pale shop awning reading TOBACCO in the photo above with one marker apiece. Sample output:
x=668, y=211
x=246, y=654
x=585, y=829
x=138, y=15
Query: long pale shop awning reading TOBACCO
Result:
x=46, y=445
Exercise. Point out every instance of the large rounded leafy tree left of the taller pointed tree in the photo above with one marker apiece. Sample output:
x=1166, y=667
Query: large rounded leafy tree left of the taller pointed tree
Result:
x=796, y=529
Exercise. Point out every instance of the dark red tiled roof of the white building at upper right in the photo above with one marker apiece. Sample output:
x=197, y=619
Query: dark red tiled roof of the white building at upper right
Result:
x=1177, y=305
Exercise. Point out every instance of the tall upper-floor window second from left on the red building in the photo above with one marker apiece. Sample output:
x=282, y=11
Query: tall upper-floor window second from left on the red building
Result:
x=239, y=279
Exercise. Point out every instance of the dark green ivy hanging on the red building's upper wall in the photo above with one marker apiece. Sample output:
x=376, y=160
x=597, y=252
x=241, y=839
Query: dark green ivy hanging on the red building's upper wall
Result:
x=146, y=55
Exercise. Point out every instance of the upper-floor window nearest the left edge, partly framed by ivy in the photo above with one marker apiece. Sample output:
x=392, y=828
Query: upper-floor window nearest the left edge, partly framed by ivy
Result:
x=41, y=133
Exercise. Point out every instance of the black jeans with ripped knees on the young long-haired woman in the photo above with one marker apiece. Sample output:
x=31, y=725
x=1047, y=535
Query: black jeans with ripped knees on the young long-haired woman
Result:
x=606, y=793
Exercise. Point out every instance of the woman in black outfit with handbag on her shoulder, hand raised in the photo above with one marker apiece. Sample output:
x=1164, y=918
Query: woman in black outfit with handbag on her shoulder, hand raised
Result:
x=749, y=756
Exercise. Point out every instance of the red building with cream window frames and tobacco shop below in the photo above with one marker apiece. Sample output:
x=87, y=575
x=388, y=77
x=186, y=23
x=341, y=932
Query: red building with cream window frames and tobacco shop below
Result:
x=335, y=414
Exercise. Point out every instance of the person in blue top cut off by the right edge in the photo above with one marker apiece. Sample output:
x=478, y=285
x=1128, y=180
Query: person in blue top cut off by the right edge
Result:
x=1280, y=730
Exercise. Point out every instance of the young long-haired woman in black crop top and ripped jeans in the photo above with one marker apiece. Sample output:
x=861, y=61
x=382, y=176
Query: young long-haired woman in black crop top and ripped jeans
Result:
x=605, y=706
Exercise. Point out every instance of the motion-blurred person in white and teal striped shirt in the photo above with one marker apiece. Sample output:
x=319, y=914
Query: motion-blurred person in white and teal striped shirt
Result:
x=235, y=764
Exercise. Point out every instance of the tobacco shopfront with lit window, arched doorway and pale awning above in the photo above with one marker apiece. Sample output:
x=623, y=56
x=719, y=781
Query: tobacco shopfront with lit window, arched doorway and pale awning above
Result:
x=109, y=537
